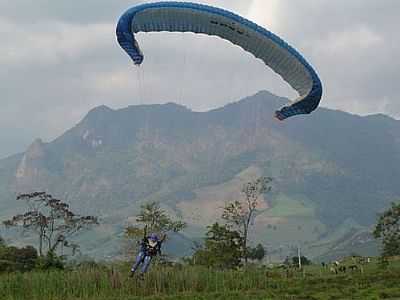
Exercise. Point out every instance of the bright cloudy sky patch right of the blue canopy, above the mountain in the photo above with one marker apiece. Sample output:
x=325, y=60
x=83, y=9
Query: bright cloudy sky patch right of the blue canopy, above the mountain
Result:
x=352, y=45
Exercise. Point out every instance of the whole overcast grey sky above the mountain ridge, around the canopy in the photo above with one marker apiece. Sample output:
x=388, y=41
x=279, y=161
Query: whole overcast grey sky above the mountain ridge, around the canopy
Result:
x=59, y=59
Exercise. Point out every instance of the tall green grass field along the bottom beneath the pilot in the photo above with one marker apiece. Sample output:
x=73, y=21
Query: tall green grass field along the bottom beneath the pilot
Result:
x=112, y=282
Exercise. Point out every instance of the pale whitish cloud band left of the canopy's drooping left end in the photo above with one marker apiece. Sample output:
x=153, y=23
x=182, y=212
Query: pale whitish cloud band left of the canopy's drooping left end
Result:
x=49, y=42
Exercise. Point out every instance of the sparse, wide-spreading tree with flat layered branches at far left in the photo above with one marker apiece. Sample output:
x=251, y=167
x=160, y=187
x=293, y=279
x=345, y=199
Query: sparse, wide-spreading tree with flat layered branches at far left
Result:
x=52, y=220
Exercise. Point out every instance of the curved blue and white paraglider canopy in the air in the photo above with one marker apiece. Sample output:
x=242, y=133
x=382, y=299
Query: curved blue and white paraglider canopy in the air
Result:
x=199, y=18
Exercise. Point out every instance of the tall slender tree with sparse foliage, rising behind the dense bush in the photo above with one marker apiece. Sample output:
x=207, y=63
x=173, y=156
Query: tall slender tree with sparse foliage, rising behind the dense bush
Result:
x=239, y=214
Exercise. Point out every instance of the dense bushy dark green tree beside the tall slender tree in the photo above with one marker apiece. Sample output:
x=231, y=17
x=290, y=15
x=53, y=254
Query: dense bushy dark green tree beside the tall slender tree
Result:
x=222, y=248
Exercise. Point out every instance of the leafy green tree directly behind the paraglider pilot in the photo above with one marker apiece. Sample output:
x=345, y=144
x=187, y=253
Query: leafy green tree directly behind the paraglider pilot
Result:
x=154, y=219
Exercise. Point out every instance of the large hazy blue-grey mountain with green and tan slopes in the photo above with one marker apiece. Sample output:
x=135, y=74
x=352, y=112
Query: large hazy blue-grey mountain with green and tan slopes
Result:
x=333, y=171
